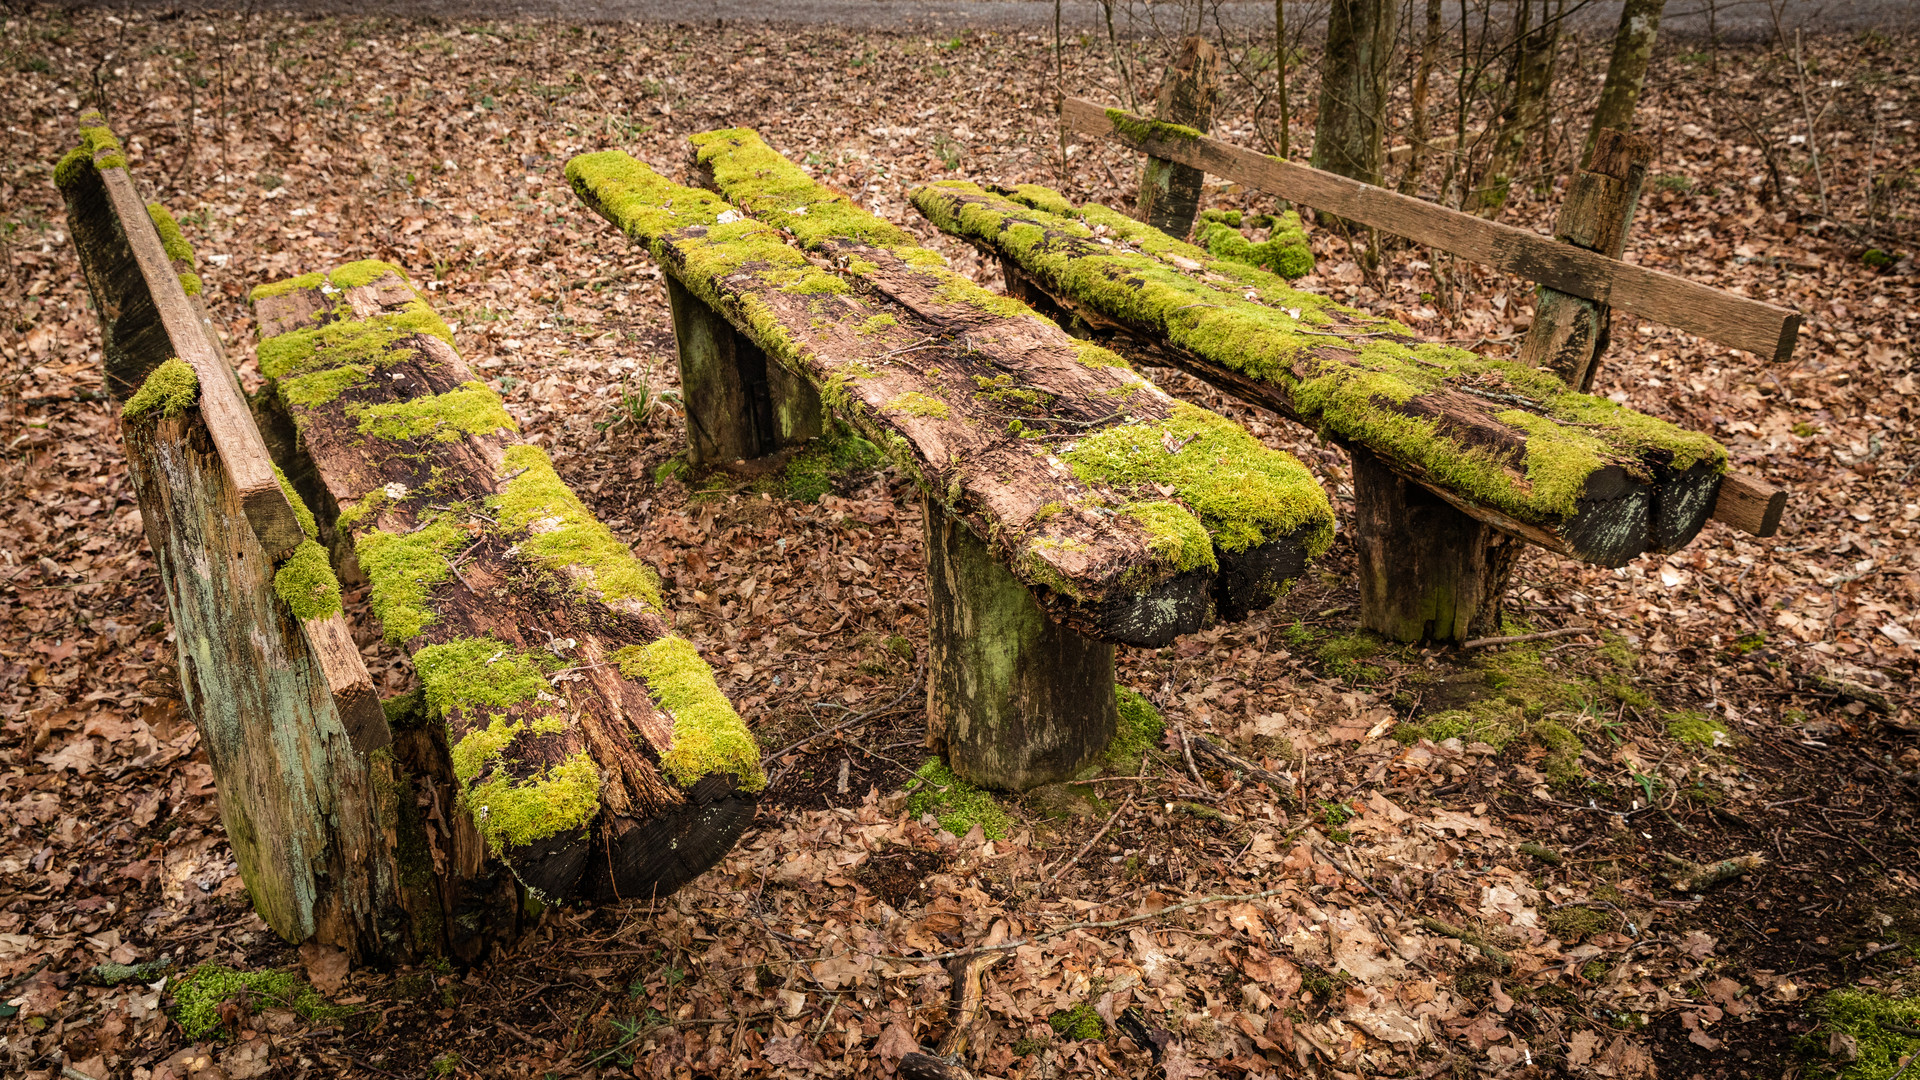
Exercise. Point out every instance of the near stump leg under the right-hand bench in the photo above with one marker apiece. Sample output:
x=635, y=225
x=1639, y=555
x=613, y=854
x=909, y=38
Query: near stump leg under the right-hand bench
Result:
x=1428, y=572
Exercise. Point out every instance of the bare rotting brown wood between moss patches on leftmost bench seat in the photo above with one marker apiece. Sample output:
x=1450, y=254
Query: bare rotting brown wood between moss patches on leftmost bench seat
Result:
x=650, y=835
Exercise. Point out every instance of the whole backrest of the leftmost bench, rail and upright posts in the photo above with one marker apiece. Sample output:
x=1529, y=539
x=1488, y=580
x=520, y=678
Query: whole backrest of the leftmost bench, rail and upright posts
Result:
x=322, y=798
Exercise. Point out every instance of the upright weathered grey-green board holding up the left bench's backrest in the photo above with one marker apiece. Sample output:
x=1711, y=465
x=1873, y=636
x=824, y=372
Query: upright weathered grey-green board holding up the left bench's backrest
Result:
x=293, y=793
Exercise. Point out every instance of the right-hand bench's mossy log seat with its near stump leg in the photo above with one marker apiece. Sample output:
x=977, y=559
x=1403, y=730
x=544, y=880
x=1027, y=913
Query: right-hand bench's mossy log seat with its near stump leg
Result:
x=1452, y=454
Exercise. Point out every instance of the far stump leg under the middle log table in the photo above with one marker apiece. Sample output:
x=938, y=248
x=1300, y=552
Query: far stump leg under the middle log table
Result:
x=740, y=405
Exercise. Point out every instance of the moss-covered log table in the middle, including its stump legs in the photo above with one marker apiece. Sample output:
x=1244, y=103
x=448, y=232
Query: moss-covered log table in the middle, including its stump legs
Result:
x=1070, y=504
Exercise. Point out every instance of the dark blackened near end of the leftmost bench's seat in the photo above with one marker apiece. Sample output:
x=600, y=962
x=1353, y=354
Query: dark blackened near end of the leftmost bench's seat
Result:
x=656, y=858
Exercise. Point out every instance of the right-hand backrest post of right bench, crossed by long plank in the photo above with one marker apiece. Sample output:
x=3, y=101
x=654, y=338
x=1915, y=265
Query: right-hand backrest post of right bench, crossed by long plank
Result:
x=1570, y=333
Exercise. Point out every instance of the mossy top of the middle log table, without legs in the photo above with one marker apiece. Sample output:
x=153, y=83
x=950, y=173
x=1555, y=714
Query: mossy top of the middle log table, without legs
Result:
x=1055, y=453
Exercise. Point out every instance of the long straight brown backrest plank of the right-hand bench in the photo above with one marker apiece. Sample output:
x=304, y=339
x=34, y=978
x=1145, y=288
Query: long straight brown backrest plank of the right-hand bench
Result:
x=1737, y=322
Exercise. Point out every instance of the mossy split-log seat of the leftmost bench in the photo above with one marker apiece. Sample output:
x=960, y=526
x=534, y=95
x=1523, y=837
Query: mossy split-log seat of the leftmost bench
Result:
x=592, y=749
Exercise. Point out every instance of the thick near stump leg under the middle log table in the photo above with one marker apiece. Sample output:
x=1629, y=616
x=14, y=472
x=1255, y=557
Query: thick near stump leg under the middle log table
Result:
x=1015, y=700
